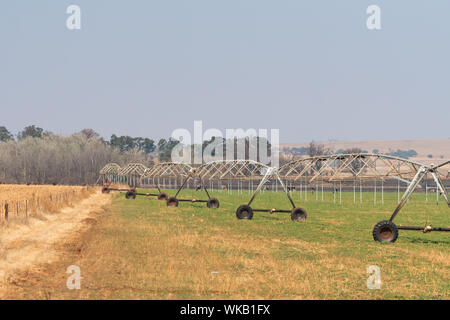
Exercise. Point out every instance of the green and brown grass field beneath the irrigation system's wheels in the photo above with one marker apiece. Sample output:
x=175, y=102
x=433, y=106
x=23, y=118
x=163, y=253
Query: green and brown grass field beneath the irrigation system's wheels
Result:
x=142, y=249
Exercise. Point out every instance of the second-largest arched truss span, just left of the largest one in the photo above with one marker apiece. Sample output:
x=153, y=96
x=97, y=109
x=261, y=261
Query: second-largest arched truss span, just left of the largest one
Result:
x=231, y=169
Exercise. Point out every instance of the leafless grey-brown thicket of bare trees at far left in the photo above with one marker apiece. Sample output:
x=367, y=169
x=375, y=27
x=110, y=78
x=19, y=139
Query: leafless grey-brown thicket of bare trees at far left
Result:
x=62, y=160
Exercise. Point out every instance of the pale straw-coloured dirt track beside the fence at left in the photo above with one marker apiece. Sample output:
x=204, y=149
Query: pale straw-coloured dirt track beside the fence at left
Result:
x=25, y=247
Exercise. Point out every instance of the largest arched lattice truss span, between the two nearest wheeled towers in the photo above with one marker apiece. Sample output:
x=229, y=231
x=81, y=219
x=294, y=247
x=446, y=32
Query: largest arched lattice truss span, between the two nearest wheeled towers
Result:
x=341, y=167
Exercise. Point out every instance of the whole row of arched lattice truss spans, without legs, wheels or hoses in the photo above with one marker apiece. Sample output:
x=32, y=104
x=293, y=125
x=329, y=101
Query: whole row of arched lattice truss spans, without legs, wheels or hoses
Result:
x=336, y=167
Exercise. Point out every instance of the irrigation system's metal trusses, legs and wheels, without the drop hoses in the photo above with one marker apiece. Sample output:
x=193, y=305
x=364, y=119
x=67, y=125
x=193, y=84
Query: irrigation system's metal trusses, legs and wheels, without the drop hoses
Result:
x=330, y=168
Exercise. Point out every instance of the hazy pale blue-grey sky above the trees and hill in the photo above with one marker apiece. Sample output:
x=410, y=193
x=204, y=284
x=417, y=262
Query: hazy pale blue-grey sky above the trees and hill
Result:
x=311, y=68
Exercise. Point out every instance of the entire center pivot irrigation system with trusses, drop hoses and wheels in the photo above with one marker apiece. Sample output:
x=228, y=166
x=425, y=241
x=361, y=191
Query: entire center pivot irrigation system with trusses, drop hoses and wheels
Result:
x=335, y=172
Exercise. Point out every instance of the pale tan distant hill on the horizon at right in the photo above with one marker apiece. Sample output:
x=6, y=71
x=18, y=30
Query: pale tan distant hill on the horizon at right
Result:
x=428, y=150
